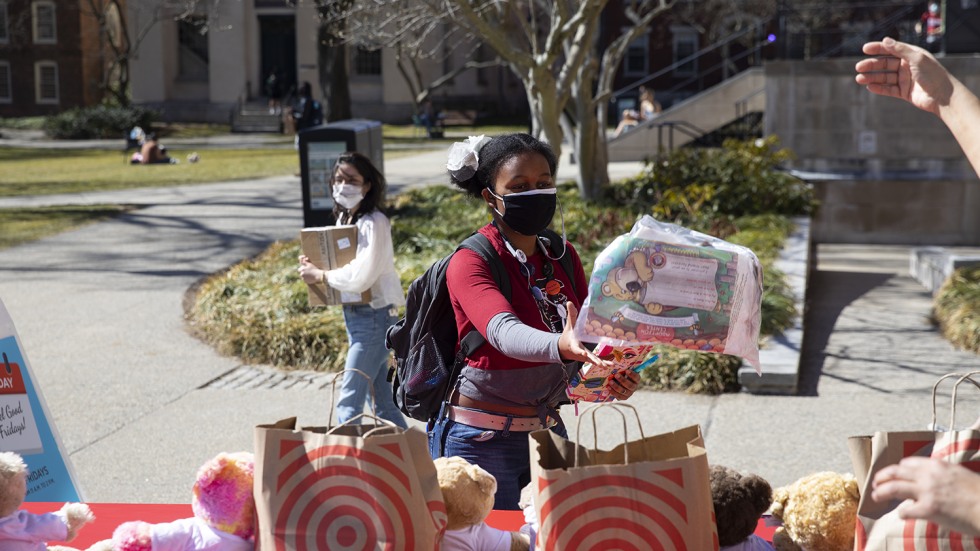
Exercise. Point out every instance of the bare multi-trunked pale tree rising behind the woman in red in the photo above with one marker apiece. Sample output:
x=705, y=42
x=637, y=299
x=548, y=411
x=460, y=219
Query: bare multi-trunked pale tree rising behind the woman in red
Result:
x=552, y=46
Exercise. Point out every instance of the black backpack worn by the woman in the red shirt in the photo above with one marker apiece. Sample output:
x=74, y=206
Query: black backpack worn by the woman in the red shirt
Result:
x=424, y=341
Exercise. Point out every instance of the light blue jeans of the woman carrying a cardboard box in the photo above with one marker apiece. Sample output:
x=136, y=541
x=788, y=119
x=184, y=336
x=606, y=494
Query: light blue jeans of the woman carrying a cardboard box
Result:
x=366, y=329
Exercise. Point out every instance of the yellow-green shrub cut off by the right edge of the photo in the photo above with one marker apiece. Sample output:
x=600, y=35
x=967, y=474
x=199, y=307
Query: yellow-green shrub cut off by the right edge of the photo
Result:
x=957, y=308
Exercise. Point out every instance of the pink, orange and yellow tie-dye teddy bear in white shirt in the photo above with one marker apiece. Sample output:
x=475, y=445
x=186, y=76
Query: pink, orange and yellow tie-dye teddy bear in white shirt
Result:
x=224, y=514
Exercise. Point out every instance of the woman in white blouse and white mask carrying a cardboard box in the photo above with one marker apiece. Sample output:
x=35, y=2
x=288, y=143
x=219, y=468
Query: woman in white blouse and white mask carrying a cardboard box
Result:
x=358, y=193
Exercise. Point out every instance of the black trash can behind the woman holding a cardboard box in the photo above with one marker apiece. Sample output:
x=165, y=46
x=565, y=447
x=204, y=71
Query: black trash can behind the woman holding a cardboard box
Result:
x=319, y=148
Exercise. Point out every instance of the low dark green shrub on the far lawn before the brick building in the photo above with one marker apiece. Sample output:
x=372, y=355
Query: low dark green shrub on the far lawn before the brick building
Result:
x=97, y=122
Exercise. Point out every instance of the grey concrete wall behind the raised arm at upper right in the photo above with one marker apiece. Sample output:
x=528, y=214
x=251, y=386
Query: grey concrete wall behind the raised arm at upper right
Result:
x=832, y=124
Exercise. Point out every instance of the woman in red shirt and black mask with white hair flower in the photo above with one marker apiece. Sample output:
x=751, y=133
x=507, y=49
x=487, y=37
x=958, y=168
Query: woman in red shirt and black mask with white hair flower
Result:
x=515, y=382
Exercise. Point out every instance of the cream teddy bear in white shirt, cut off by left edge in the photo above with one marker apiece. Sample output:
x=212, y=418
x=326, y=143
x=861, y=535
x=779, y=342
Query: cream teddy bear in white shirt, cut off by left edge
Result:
x=21, y=530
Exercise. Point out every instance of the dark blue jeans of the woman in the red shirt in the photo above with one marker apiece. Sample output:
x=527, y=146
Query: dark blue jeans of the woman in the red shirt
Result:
x=504, y=454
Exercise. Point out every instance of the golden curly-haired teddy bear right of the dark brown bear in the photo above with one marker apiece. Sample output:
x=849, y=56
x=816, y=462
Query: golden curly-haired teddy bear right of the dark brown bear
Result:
x=818, y=513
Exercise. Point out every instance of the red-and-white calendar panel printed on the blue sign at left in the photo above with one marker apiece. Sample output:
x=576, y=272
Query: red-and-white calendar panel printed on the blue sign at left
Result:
x=18, y=433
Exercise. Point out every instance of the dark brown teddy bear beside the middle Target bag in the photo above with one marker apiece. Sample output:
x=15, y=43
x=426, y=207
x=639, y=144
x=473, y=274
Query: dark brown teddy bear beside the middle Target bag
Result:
x=739, y=501
